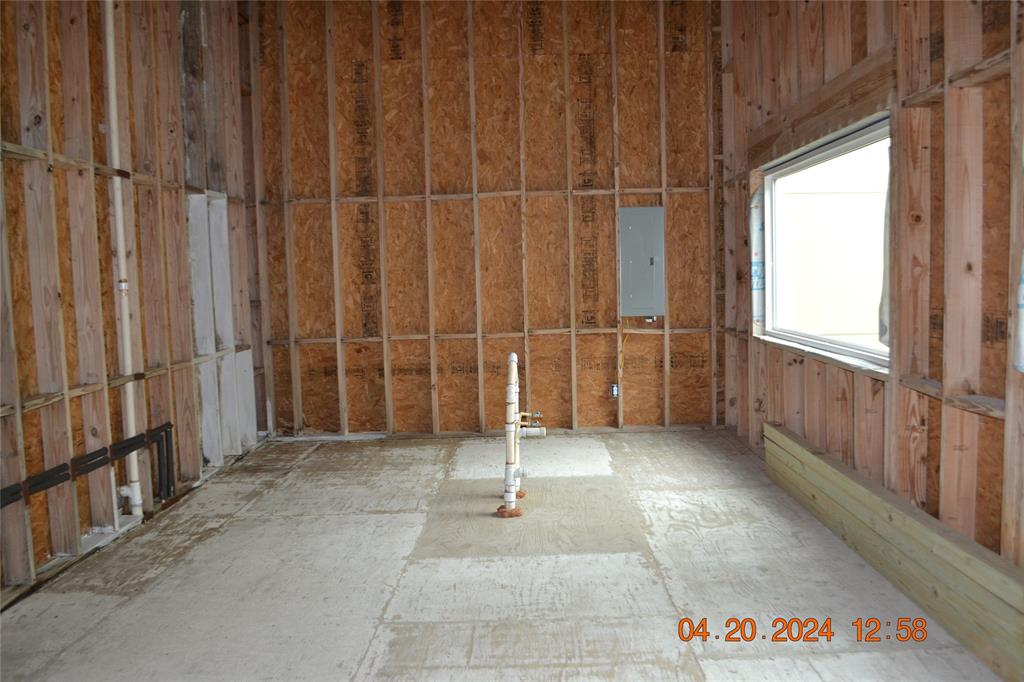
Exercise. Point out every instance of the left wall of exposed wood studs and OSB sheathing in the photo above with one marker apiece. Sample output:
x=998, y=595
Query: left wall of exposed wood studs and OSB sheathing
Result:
x=182, y=138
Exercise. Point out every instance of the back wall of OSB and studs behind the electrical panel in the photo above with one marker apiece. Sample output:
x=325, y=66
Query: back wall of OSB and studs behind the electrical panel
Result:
x=439, y=187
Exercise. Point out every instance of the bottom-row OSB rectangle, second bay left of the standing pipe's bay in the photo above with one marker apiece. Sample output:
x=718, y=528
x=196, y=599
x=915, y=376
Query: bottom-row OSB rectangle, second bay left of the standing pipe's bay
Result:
x=411, y=387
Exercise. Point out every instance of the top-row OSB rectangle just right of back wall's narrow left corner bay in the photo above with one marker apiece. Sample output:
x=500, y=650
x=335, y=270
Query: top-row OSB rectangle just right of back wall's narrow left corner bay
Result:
x=308, y=114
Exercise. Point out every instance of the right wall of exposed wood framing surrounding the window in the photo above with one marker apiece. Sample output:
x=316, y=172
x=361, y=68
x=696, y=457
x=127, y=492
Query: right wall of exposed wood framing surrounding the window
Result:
x=943, y=428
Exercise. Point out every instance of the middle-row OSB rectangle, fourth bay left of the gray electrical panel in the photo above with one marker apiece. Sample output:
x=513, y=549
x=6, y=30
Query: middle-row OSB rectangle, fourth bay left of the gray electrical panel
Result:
x=455, y=287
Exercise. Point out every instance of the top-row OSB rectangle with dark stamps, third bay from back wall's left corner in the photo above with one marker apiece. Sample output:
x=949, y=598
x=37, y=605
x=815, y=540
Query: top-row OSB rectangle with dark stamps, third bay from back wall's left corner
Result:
x=355, y=107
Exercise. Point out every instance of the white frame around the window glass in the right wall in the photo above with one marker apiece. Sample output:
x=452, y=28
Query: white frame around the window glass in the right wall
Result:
x=848, y=142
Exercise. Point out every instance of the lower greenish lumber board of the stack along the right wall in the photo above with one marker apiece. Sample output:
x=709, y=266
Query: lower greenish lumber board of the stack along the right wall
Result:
x=1006, y=658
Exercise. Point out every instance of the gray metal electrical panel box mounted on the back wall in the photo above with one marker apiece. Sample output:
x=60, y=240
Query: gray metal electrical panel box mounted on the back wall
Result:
x=642, y=266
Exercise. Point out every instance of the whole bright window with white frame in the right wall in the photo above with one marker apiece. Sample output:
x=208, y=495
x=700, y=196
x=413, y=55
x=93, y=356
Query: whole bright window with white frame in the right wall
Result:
x=826, y=246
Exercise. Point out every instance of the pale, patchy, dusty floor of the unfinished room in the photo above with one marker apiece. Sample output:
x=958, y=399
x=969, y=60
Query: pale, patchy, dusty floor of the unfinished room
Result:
x=382, y=560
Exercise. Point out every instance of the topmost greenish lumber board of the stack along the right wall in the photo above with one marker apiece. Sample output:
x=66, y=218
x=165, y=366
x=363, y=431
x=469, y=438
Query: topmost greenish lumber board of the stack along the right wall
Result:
x=986, y=568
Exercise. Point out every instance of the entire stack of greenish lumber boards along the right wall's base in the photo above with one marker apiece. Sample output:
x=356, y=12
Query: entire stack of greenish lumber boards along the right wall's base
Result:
x=975, y=594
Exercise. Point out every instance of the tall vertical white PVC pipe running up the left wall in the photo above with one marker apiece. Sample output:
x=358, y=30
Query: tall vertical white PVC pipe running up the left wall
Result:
x=135, y=490
